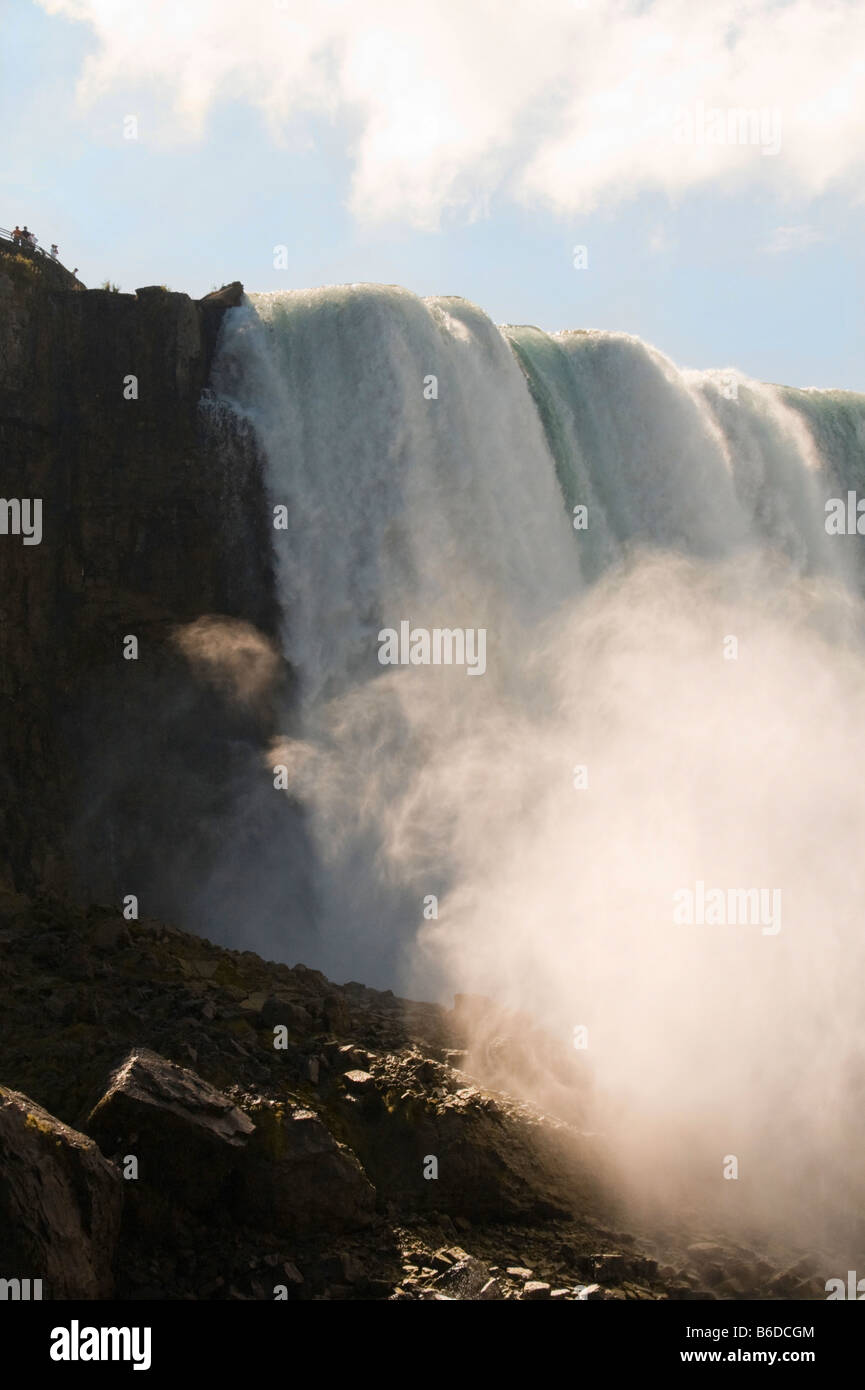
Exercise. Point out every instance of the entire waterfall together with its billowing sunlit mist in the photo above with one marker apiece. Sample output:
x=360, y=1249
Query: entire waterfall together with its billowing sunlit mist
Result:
x=731, y=764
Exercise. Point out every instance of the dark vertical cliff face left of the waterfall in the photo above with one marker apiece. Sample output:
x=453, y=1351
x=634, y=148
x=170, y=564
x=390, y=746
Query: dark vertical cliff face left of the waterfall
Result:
x=122, y=776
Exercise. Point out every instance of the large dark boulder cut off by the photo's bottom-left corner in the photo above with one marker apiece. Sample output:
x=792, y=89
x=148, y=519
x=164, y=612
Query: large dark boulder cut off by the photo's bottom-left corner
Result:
x=60, y=1203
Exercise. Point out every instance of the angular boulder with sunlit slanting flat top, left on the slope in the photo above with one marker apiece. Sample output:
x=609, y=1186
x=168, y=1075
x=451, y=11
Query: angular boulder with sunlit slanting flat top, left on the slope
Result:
x=184, y=1132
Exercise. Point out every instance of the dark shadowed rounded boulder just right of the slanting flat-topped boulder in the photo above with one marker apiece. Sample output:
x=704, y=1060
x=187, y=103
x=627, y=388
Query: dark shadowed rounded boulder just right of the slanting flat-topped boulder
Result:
x=298, y=1178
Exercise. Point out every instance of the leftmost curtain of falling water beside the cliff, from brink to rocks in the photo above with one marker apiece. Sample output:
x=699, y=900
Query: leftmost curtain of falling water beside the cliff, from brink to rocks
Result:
x=440, y=511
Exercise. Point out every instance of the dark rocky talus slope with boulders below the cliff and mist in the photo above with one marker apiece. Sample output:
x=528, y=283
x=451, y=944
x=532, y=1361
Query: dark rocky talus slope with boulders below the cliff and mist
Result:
x=179, y=1121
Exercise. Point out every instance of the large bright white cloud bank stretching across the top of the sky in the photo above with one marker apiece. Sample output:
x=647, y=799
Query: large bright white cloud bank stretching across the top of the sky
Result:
x=556, y=102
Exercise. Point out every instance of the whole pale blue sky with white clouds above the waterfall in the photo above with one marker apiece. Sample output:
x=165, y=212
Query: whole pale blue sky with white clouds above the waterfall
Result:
x=563, y=163
